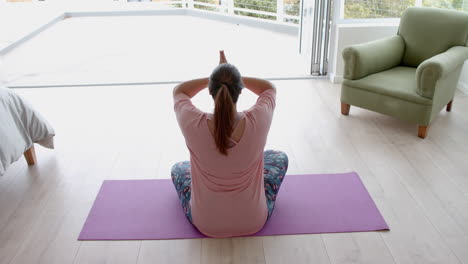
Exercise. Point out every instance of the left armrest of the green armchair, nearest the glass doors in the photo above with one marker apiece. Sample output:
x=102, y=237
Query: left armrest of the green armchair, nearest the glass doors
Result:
x=364, y=59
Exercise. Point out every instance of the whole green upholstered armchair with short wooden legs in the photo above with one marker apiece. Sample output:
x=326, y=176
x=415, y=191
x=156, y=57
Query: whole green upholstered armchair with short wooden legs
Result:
x=410, y=76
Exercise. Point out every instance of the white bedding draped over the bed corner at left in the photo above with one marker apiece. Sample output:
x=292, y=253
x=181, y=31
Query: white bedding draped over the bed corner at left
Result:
x=20, y=127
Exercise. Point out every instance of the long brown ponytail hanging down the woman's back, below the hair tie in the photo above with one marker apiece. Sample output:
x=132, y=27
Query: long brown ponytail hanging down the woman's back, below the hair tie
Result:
x=223, y=119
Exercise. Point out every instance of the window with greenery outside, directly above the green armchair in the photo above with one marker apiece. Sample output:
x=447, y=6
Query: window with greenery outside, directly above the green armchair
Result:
x=355, y=9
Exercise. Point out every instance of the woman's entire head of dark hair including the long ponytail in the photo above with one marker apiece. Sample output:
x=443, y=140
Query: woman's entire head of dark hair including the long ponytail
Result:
x=225, y=86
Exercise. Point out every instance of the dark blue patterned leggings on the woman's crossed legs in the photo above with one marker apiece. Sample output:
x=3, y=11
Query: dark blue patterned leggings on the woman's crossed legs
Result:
x=276, y=165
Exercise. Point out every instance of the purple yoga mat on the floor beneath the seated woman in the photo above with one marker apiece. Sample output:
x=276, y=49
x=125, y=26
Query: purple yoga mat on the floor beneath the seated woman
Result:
x=306, y=204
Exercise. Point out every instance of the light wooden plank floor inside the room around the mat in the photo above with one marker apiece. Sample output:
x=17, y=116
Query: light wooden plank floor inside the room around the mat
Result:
x=420, y=186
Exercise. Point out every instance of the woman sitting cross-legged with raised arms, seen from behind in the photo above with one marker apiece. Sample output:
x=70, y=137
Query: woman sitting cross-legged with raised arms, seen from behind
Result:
x=230, y=185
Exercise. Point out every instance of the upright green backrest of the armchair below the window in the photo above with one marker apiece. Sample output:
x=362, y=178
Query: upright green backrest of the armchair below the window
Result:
x=431, y=31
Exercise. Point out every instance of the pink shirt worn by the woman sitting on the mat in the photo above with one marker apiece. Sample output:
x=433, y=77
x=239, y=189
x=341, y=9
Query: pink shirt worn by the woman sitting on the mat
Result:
x=228, y=196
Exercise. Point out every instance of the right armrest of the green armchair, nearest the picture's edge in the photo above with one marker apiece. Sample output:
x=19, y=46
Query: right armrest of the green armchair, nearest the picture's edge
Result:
x=437, y=67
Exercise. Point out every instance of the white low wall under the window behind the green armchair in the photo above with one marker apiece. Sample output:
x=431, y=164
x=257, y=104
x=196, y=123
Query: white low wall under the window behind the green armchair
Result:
x=350, y=34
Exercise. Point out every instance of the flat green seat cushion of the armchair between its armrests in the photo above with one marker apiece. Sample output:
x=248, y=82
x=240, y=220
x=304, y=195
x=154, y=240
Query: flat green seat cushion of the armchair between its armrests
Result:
x=398, y=82
